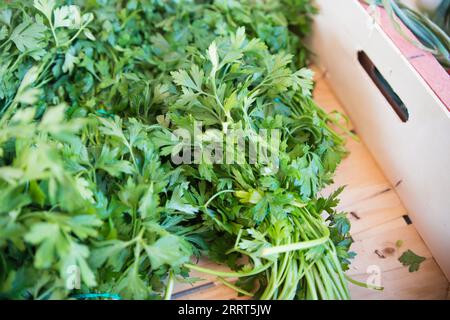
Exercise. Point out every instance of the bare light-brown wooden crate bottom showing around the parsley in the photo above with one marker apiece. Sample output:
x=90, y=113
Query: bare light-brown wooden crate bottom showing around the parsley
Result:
x=377, y=217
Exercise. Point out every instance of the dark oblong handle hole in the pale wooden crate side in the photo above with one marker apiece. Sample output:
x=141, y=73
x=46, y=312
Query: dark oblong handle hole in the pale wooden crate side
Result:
x=383, y=85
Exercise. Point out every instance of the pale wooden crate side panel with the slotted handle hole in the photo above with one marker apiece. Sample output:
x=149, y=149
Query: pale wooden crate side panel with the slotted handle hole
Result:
x=416, y=152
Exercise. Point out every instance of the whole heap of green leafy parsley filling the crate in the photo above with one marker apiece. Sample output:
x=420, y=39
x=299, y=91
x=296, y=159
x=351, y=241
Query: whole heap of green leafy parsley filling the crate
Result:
x=92, y=94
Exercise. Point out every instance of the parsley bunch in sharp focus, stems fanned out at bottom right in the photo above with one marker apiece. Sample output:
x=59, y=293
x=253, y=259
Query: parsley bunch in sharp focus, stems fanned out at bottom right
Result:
x=272, y=217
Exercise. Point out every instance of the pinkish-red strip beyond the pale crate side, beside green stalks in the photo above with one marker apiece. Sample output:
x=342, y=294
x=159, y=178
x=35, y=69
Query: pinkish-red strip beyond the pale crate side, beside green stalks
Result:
x=424, y=62
